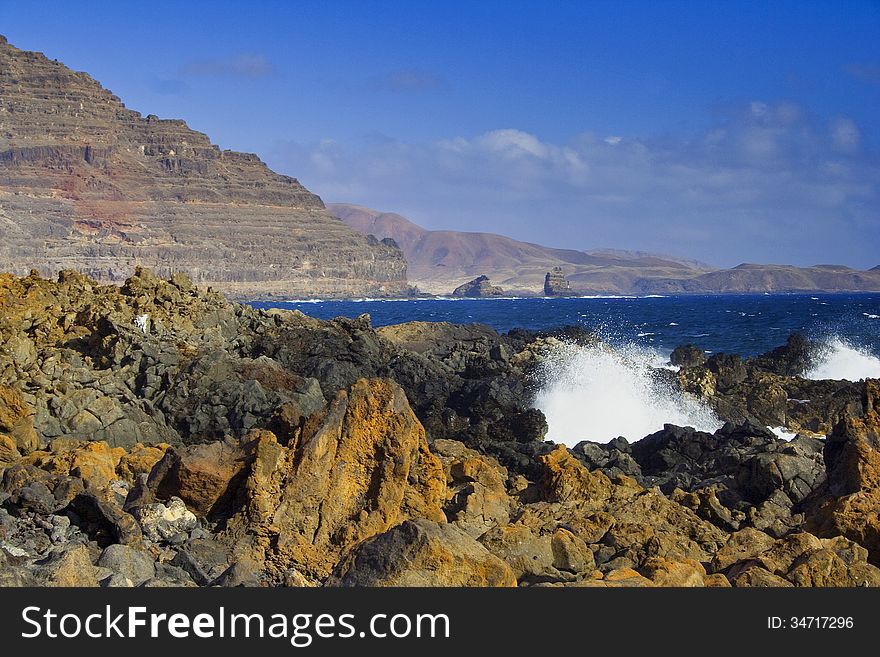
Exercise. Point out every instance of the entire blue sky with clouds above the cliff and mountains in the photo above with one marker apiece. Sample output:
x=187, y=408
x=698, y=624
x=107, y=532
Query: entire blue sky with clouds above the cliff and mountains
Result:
x=728, y=132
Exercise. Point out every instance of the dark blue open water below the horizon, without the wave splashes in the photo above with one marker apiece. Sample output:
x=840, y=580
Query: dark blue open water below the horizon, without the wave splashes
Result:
x=747, y=324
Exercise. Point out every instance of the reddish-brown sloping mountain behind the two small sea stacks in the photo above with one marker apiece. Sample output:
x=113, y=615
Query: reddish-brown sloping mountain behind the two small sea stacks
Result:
x=441, y=260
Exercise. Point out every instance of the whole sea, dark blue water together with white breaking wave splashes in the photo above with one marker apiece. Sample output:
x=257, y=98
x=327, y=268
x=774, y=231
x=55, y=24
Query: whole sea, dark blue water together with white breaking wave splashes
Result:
x=597, y=393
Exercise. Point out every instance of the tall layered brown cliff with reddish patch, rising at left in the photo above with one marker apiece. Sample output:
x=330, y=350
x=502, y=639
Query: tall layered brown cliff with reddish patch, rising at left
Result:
x=87, y=184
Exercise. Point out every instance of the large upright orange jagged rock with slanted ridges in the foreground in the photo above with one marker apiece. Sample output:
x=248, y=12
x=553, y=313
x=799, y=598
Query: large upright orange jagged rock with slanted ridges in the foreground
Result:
x=362, y=467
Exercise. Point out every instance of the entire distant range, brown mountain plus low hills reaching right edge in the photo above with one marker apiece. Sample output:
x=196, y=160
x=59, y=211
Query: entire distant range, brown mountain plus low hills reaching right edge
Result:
x=441, y=260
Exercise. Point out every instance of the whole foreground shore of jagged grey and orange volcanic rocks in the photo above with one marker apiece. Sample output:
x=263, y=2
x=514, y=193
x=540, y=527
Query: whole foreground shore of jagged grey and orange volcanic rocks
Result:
x=157, y=435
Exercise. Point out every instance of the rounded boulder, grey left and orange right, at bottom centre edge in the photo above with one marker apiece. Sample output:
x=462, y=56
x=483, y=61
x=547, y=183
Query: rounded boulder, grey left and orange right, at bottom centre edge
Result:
x=422, y=553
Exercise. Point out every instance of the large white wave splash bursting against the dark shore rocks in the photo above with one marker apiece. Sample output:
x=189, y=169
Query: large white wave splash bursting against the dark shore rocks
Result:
x=598, y=393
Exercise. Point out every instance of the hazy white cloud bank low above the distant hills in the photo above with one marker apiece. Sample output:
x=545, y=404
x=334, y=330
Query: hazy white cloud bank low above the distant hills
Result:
x=766, y=184
